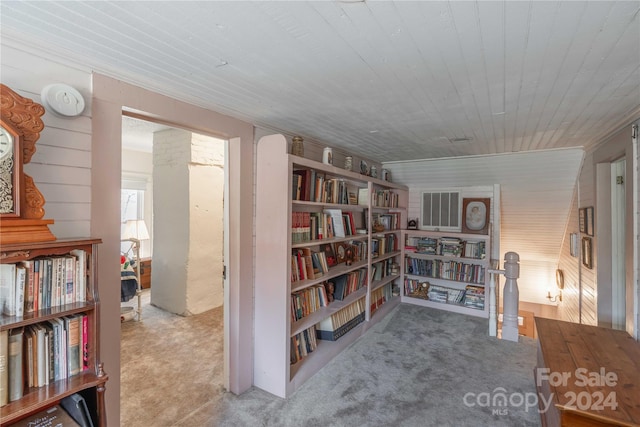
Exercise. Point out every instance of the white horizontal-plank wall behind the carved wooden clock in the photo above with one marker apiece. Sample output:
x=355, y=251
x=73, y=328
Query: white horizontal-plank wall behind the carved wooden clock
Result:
x=61, y=166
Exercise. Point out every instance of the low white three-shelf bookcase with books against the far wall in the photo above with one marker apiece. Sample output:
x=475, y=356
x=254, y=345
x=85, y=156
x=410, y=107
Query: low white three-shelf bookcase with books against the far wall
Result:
x=446, y=270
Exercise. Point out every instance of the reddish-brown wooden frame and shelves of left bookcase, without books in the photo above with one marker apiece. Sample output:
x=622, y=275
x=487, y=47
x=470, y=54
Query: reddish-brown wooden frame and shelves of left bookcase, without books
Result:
x=90, y=381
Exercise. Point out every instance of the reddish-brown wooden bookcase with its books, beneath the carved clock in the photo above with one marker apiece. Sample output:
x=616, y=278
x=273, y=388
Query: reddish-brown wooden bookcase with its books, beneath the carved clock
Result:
x=50, y=327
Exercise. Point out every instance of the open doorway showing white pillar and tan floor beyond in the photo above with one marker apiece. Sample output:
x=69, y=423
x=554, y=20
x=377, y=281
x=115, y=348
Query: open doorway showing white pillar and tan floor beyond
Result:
x=182, y=269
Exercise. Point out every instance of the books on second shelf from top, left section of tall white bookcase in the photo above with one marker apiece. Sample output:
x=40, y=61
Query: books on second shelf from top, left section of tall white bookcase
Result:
x=331, y=223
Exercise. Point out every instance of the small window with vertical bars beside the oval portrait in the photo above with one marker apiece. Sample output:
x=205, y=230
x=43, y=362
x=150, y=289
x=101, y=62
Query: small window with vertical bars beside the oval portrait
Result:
x=440, y=211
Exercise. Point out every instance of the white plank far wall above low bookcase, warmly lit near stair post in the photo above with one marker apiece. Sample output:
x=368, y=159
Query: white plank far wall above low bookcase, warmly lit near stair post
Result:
x=535, y=190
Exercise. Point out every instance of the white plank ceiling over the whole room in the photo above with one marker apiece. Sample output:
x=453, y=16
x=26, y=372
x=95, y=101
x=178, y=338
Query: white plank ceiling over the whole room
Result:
x=382, y=79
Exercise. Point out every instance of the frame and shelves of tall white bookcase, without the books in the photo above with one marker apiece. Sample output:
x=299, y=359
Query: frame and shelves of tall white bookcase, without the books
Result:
x=274, y=325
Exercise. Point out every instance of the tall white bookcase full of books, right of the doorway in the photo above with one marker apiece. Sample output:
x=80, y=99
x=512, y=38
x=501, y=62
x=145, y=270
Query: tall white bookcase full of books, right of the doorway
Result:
x=328, y=262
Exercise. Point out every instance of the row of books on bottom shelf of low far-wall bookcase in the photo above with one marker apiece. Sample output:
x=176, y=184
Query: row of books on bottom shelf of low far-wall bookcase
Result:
x=472, y=296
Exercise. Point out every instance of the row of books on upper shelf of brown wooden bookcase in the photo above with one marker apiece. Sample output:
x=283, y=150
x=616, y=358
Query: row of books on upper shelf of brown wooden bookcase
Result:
x=42, y=283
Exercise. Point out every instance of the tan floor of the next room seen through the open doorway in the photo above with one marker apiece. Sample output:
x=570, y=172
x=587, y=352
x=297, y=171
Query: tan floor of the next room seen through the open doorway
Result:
x=171, y=365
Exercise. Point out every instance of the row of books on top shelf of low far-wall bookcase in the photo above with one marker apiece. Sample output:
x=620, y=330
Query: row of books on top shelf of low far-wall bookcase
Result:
x=447, y=246
